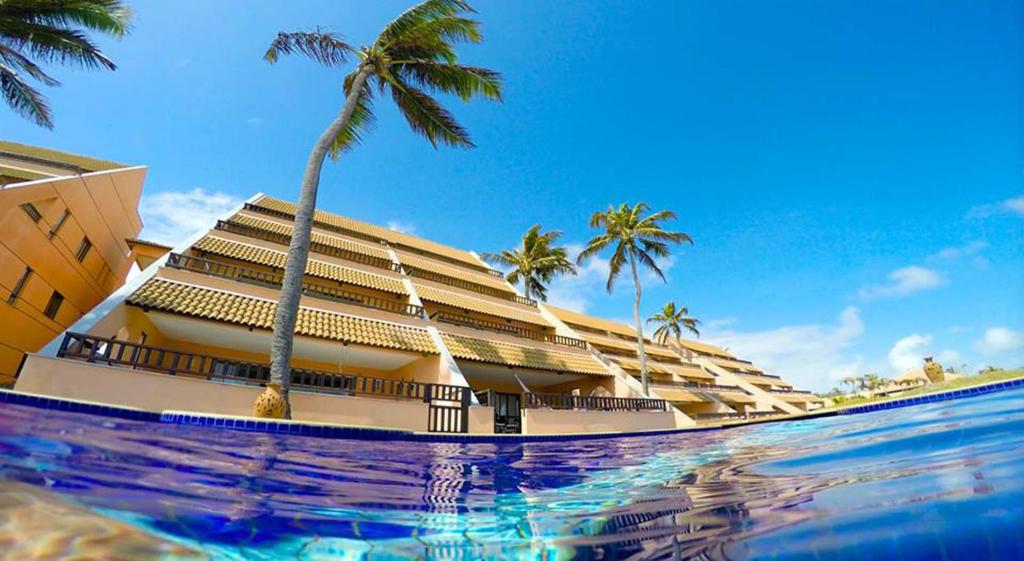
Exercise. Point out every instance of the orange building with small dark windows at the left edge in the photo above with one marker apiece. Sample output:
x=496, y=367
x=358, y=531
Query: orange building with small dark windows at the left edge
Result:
x=69, y=226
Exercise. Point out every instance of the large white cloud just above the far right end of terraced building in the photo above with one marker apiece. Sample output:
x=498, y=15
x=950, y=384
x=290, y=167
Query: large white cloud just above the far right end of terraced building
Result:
x=810, y=356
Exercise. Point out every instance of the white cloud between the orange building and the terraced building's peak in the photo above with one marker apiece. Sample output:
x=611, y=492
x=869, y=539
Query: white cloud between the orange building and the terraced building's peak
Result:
x=170, y=218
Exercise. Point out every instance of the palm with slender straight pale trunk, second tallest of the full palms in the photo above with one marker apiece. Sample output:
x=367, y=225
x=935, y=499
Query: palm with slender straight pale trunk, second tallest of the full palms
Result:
x=638, y=241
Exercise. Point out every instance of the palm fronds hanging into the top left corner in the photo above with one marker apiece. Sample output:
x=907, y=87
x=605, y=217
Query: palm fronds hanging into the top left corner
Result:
x=33, y=32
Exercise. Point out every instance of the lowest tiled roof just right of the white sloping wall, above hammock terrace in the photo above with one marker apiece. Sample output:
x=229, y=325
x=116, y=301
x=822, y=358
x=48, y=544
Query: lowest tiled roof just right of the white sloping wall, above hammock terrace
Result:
x=517, y=356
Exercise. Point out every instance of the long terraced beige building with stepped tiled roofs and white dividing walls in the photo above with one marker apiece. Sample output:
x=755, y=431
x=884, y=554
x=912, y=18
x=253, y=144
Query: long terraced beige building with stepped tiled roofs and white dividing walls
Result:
x=394, y=331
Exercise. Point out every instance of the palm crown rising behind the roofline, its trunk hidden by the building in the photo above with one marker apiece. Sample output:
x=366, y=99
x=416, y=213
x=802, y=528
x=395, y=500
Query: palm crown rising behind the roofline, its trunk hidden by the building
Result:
x=535, y=263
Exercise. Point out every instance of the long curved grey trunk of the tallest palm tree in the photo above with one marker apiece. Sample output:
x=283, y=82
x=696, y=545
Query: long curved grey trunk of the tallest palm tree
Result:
x=298, y=251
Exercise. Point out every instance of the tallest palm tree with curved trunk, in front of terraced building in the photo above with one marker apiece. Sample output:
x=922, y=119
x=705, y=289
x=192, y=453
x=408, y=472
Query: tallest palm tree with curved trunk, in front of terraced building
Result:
x=411, y=60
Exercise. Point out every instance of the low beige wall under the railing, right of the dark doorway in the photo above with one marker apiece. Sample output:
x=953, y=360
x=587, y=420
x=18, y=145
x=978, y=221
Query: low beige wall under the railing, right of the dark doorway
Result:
x=569, y=422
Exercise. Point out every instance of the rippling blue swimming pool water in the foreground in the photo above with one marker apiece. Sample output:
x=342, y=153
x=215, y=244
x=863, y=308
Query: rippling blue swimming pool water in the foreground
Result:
x=936, y=482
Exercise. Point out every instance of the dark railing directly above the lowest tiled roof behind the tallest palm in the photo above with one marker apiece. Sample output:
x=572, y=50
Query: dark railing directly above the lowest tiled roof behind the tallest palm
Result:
x=274, y=280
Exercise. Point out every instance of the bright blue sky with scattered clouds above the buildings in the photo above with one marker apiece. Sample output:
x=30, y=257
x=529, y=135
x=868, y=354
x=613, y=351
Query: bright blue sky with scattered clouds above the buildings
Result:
x=852, y=174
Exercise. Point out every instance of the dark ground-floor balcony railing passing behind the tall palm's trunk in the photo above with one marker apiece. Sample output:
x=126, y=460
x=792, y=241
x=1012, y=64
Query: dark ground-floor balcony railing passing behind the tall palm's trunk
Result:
x=113, y=353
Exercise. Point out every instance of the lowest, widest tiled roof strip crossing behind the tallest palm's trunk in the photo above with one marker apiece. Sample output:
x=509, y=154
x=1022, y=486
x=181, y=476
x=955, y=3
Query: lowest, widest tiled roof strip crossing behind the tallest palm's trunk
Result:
x=244, y=311
